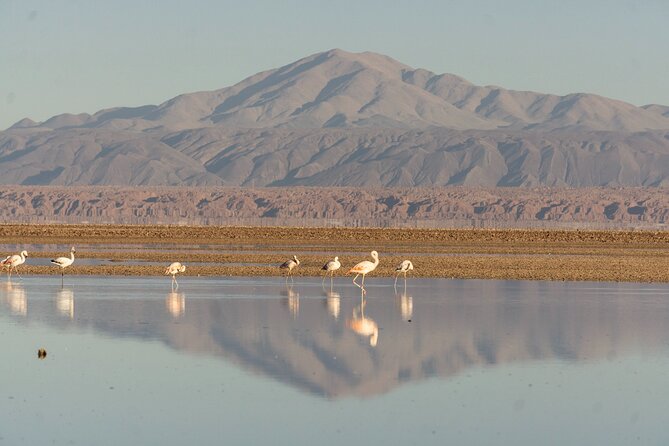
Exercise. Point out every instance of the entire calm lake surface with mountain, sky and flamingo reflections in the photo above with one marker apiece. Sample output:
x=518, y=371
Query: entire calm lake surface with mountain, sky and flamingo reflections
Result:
x=253, y=361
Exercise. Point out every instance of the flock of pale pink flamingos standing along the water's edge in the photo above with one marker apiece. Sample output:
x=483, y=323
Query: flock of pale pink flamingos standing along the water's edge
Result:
x=12, y=262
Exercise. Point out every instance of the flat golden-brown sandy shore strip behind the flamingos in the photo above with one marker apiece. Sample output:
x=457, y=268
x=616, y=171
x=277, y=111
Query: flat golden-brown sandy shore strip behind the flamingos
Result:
x=629, y=256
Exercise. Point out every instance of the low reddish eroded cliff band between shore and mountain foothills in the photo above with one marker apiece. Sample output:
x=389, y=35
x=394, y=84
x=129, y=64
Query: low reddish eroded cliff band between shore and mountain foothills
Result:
x=458, y=206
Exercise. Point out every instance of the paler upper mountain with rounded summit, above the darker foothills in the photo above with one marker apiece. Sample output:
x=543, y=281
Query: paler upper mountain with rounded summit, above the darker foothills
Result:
x=339, y=88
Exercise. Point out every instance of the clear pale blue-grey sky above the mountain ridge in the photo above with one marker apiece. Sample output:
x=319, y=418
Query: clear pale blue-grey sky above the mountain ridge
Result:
x=83, y=55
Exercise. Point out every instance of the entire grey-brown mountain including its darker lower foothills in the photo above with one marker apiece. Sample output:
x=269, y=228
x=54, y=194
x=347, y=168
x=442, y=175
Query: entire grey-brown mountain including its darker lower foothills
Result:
x=344, y=119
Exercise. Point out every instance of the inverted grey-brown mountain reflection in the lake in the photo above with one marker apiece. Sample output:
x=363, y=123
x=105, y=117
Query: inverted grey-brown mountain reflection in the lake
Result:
x=384, y=340
